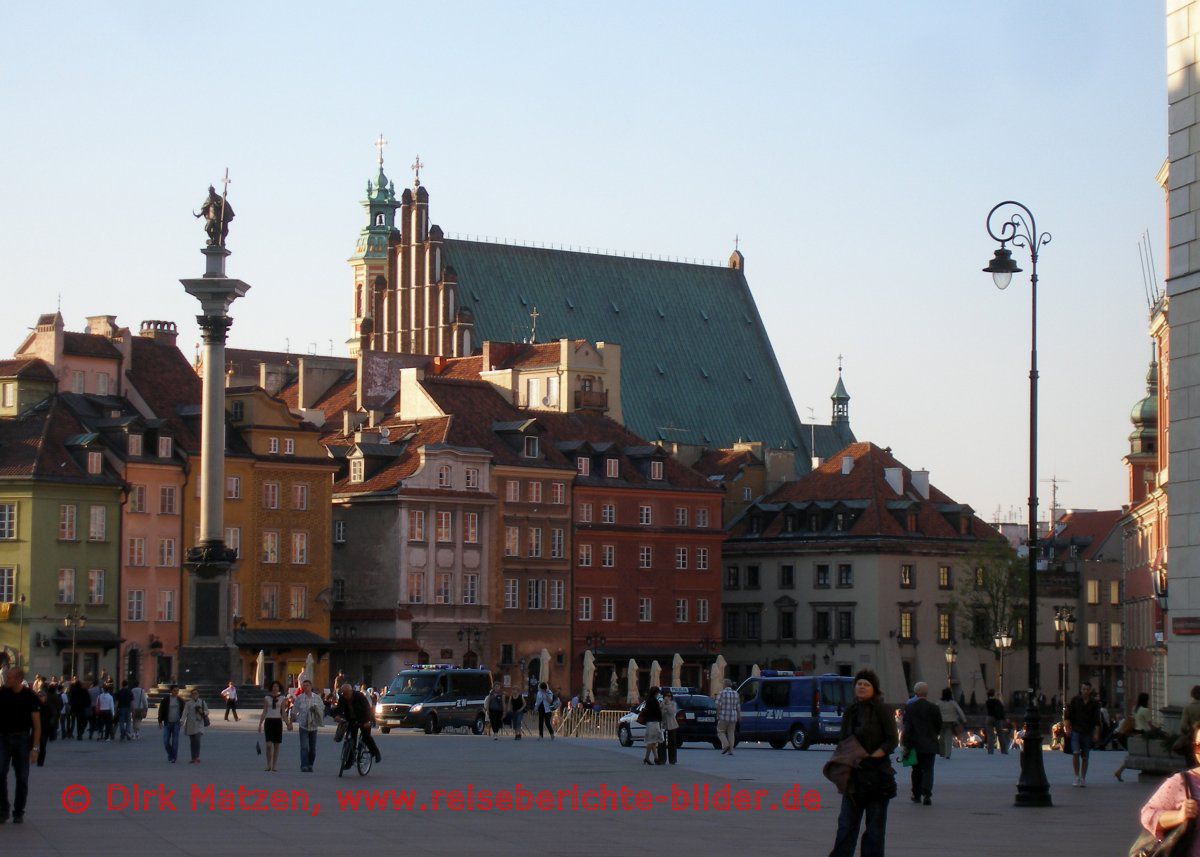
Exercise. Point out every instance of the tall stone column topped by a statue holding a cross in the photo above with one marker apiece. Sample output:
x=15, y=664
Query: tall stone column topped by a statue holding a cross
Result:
x=209, y=655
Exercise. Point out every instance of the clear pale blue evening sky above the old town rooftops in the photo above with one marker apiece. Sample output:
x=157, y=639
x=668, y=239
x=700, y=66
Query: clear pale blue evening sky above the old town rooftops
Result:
x=855, y=149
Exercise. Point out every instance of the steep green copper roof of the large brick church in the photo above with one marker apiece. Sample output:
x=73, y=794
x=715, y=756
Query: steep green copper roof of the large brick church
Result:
x=697, y=363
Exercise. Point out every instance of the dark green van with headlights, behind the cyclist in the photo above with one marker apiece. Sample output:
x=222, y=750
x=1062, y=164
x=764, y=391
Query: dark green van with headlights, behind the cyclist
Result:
x=434, y=697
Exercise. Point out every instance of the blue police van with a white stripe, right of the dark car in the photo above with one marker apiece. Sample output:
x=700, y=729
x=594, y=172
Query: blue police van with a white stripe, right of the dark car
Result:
x=785, y=708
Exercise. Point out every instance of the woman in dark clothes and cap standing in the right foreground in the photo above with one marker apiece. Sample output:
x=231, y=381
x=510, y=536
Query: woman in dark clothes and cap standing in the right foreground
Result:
x=872, y=782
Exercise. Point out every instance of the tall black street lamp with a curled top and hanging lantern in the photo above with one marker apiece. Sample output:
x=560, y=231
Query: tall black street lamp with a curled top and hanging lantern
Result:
x=1017, y=226
